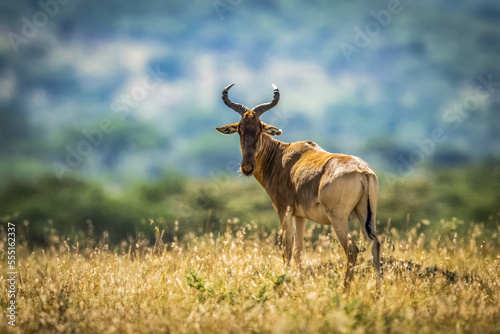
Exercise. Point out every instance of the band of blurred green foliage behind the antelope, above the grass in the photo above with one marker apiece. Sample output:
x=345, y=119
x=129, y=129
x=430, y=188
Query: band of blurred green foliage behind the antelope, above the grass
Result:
x=178, y=205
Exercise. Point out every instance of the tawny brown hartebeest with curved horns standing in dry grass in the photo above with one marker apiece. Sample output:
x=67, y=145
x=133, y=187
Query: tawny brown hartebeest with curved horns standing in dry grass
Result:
x=306, y=182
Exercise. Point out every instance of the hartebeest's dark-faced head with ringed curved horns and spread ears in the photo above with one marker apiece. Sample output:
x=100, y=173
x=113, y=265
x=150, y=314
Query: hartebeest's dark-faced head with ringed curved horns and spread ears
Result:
x=250, y=128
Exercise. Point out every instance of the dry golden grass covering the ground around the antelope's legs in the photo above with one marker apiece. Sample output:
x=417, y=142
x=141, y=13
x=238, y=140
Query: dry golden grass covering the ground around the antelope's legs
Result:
x=238, y=283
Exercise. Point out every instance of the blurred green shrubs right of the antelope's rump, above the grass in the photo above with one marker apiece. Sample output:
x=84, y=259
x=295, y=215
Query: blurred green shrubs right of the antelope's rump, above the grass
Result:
x=467, y=193
